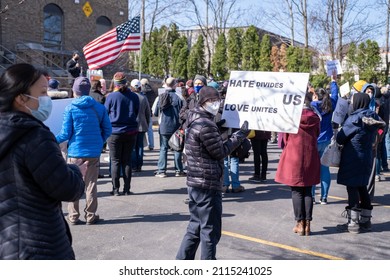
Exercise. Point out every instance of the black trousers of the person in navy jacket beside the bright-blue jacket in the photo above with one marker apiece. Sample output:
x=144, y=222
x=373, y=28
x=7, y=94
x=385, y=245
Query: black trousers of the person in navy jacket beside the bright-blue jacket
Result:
x=121, y=147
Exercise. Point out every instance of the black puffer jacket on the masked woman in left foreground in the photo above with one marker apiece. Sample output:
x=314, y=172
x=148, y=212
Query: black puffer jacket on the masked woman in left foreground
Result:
x=34, y=180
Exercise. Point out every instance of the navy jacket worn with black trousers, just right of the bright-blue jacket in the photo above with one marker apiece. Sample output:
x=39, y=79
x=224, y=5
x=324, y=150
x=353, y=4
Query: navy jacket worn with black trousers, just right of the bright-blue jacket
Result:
x=123, y=111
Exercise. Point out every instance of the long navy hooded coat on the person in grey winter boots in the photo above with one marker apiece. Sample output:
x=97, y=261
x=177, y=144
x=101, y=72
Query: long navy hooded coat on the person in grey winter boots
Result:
x=357, y=138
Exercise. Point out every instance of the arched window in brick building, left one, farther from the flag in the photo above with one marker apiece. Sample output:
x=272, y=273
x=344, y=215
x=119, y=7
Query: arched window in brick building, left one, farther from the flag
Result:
x=52, y=24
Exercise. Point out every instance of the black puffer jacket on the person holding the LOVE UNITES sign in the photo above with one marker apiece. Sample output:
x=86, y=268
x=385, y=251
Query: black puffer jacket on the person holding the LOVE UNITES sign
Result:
x=206, y=150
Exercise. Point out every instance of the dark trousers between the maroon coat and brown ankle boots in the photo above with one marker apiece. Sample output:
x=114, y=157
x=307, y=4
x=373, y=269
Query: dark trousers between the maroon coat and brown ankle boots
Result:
x=302, y=203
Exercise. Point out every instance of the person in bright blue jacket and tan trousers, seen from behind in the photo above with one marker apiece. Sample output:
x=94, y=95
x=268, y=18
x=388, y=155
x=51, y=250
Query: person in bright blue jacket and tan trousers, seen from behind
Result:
x=86, y=127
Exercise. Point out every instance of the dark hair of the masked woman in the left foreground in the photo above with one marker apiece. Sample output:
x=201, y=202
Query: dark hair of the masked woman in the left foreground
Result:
x=17, y=79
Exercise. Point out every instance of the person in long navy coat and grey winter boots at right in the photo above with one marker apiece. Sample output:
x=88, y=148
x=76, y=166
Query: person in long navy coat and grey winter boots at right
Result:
x=357, y=136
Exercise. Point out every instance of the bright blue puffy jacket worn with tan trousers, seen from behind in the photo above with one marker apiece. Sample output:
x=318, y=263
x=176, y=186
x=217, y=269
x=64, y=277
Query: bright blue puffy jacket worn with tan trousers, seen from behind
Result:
x=86, y=127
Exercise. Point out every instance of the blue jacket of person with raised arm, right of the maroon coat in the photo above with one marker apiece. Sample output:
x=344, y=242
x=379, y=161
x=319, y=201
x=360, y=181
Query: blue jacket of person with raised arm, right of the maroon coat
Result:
x=326, y=118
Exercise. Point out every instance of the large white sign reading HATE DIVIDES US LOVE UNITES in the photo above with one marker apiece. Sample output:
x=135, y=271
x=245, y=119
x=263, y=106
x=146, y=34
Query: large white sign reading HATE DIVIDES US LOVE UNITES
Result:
x=270, y=101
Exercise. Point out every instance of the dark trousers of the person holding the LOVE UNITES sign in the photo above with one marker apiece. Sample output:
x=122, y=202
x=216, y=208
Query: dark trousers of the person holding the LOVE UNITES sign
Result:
x=205, y=224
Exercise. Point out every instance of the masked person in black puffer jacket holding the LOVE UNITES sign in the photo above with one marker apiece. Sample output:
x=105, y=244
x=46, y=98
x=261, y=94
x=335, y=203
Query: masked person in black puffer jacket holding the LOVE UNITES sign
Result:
x=205, y=152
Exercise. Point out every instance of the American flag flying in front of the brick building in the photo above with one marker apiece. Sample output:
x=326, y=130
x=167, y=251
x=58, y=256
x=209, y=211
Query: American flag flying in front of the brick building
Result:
x=106, y=48
